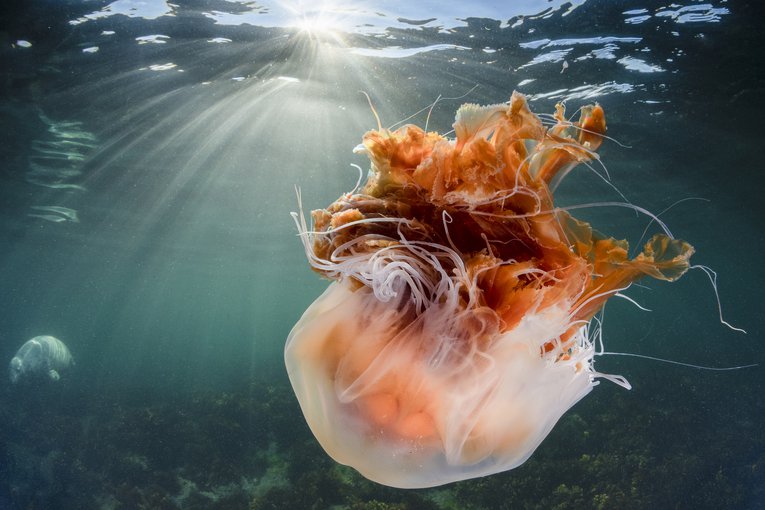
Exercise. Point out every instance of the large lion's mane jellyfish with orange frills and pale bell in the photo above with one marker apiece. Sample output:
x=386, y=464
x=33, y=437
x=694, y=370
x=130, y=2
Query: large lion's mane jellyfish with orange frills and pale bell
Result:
x=455, y=333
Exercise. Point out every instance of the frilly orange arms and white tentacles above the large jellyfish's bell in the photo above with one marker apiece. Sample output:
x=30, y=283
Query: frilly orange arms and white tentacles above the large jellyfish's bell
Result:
x=471, y=222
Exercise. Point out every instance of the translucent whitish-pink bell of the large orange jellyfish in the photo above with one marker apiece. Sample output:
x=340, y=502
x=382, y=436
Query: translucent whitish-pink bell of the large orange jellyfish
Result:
x=421, y=405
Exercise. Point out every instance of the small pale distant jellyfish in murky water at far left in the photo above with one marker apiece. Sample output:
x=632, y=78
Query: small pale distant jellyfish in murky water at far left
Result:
x=41, y=356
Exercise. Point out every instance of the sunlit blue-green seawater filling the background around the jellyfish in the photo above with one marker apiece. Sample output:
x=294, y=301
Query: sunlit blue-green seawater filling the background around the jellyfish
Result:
x=149, y=158
